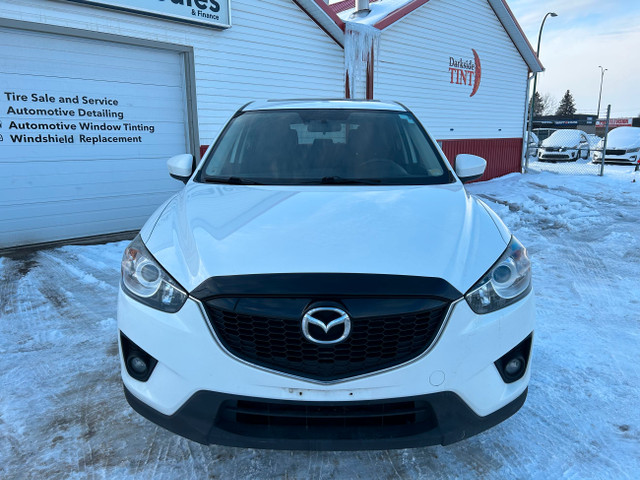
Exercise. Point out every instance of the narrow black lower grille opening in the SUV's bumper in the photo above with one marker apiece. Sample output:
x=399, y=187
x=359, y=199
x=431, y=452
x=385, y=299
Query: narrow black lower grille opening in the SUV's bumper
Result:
x=309, y=421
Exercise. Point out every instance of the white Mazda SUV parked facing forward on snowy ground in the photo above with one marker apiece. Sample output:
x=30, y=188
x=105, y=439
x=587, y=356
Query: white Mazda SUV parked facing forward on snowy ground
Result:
x=324, y=281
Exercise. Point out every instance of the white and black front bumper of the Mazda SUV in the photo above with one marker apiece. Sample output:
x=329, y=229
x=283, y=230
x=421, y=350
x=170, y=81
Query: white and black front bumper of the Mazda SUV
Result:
x=193, y=365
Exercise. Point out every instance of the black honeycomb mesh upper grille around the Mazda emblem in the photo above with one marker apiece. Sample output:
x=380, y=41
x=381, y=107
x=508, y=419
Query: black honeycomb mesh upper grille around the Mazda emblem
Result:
x=277, y=342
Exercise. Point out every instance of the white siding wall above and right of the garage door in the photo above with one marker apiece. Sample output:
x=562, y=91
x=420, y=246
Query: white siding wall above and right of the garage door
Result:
x=272, y=50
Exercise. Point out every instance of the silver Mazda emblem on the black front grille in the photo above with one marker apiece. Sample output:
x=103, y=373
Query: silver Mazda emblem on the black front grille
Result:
x=326, y=319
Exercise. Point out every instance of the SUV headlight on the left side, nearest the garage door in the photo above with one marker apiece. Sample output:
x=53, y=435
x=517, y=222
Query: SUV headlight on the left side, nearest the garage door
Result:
x=145, y=280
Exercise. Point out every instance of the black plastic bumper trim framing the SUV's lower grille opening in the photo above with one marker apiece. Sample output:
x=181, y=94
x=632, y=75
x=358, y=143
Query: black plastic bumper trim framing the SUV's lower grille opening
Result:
x=201, y=419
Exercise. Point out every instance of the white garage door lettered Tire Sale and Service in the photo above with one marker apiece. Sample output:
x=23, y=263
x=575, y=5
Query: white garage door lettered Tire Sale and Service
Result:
x=86, y=129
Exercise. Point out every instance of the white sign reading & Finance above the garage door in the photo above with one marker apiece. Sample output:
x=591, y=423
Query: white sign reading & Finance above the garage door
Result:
x=214, y=13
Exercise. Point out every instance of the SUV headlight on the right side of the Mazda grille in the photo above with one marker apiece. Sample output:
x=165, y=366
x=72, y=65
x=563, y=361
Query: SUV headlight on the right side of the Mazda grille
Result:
x=505, y=283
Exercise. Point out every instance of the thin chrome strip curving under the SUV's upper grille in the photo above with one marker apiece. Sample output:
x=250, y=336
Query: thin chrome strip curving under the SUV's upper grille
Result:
x=331, y=382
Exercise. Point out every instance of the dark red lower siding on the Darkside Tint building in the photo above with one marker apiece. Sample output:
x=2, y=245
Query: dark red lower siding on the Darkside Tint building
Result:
x=503, y=155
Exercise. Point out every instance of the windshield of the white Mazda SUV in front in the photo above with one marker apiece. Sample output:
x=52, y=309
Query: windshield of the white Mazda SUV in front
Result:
x=332, y=146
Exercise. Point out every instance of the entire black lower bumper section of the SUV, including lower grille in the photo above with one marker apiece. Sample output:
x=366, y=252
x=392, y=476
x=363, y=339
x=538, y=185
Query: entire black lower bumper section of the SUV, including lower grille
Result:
x=217, y=418
